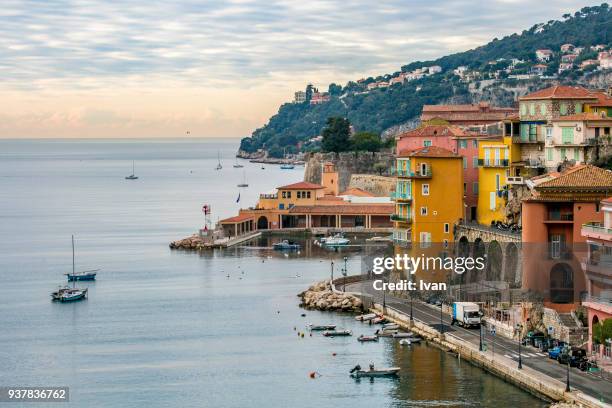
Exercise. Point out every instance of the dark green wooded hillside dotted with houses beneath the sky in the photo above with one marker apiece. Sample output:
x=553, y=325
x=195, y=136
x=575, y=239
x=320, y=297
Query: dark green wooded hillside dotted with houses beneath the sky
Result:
x=377, y=109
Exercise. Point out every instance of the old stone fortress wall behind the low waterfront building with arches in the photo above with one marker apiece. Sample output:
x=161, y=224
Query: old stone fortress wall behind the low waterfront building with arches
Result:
x=347, y=164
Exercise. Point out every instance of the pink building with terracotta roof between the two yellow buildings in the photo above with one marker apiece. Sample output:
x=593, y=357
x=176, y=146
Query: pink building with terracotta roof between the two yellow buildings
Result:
x=457, y=141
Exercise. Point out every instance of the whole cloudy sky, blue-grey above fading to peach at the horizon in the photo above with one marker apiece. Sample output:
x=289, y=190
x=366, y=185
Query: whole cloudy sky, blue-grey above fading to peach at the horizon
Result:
x=217, y=68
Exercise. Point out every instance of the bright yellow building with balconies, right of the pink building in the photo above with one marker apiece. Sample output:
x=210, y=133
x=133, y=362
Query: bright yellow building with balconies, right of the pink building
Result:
x=495, y=158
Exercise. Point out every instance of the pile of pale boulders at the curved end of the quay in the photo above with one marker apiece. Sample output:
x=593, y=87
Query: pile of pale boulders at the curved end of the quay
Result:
x=320, y=296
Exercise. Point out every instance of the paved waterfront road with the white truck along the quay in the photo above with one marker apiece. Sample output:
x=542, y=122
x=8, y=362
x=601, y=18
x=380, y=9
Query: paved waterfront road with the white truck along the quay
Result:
x=589, y=383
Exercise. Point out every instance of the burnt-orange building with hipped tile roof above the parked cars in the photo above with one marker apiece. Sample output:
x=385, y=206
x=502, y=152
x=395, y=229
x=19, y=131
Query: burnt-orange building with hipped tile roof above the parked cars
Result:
x=553, y=245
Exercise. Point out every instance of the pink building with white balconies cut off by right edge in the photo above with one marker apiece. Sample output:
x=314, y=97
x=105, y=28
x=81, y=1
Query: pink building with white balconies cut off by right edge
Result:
x=598, y=270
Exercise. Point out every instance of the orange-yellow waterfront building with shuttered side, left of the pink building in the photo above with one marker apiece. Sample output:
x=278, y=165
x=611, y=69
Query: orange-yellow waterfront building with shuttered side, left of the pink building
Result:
x=428, y=195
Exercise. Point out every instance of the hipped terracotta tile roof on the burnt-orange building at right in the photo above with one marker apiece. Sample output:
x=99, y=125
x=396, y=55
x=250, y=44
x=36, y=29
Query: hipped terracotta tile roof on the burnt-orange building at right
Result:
x=584, y=176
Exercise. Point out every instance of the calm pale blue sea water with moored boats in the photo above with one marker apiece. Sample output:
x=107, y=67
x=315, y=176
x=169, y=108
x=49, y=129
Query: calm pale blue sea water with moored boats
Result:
x=164, y=328
